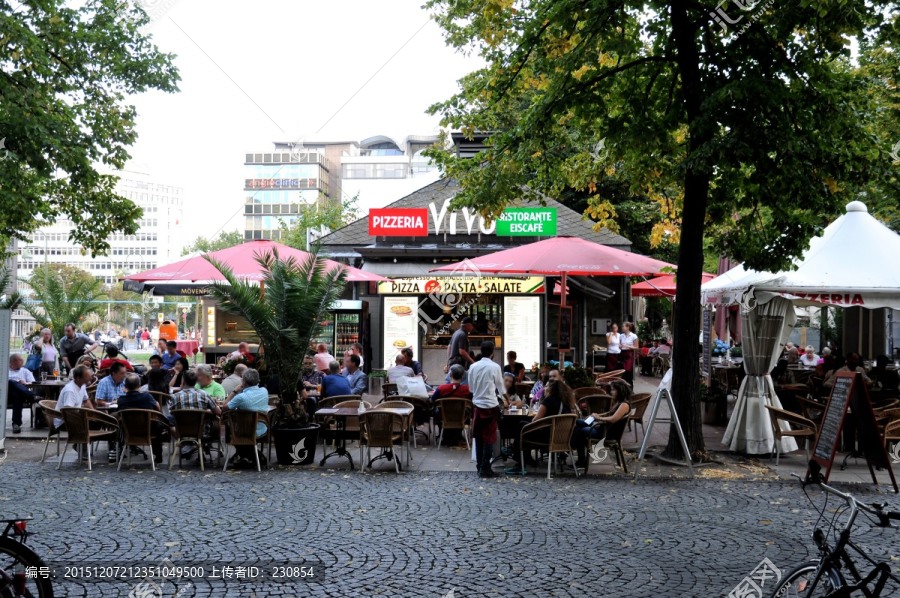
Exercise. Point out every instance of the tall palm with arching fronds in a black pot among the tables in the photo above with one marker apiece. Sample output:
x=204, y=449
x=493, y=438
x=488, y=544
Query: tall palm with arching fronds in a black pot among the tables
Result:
x=285, y=309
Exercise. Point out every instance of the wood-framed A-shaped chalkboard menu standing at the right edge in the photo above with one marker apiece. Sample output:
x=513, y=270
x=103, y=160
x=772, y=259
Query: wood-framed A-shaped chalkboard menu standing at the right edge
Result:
x=850, y=391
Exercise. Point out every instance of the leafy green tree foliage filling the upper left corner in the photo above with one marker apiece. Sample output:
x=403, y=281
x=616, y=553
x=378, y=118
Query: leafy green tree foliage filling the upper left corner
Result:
x=66, y=72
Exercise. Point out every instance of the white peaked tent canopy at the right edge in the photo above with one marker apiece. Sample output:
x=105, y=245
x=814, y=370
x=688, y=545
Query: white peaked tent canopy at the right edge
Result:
x=849, y=264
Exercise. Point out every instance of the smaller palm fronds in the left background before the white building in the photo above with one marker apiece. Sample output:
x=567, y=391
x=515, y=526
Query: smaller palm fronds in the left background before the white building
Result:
x=63, y=294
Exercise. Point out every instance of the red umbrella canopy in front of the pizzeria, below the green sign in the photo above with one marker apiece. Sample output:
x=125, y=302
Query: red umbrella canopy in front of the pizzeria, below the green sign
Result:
x=564, y=256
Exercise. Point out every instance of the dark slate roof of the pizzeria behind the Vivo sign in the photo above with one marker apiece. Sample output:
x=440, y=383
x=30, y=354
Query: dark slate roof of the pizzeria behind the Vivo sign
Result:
x=569, y=222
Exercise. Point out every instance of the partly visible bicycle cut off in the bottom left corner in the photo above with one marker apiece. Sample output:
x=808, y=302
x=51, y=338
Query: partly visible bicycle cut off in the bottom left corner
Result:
x=22, y=572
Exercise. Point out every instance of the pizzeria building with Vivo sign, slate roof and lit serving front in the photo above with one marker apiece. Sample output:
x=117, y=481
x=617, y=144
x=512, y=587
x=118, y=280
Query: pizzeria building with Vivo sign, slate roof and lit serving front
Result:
x=420, y=309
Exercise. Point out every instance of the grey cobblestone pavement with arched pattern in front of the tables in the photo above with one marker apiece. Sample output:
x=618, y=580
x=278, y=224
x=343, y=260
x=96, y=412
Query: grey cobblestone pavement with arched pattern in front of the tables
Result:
x=415, y=534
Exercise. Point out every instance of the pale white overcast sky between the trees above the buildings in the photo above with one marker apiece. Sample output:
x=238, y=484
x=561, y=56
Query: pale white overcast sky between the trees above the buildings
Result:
x=254, y=73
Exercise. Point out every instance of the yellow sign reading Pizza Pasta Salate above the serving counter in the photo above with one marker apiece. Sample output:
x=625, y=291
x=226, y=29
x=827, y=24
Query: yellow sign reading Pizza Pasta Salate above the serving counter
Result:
x=465, y=285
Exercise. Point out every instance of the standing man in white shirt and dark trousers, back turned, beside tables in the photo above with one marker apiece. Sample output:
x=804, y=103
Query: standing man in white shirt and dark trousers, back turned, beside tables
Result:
x=486, y=385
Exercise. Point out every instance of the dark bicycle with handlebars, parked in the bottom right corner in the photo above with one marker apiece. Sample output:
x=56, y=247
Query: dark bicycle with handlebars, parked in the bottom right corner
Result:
x=826, y=576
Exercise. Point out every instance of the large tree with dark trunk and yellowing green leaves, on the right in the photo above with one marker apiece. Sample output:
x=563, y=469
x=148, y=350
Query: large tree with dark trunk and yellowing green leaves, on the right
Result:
x=751, y=126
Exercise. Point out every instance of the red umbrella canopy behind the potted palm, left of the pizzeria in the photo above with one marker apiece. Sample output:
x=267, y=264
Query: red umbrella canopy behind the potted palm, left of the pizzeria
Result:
x=191, y=276
